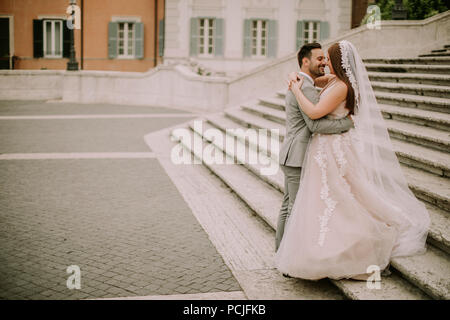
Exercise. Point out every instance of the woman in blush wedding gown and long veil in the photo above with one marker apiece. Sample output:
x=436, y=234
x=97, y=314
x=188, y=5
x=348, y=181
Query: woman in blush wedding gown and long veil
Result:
x=353, y=209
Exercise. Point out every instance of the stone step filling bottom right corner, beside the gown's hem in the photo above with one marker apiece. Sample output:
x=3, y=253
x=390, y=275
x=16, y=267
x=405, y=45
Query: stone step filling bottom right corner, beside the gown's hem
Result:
x=430, y=272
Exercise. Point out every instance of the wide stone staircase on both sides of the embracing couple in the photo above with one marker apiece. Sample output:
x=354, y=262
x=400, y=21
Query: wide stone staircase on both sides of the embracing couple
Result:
x=414, y=95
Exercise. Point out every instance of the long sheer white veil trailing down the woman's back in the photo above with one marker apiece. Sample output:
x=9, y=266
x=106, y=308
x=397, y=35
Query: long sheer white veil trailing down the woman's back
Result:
x=377, y=155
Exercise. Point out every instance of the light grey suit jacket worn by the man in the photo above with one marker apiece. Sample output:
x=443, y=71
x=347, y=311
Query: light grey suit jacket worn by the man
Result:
x=299, y=126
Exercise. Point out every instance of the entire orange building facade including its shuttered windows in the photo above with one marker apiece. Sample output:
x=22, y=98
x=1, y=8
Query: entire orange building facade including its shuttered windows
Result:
x=114, y=35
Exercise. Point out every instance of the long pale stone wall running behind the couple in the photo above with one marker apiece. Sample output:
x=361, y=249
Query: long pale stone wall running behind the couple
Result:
x=177, y=85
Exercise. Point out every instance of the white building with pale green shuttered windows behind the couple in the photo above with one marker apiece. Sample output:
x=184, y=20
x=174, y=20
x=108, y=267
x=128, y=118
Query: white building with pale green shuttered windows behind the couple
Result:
x=234, y=36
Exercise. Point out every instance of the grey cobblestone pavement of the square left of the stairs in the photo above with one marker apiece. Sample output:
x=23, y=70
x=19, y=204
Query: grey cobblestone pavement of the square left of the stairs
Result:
x=122, y=221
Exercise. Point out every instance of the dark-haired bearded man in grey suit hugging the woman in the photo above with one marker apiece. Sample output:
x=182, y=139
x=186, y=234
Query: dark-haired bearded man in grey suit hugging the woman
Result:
x=299, y=128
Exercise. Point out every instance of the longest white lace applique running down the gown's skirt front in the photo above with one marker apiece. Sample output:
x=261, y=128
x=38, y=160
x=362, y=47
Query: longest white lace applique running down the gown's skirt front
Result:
x=321, y=159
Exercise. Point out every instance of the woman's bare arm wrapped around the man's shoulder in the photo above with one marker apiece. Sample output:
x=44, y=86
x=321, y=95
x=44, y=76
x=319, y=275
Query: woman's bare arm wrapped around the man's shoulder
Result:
x=325, y=106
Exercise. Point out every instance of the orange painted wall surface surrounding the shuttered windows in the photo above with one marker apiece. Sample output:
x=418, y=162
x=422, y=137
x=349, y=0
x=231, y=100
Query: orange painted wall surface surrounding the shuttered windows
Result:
x=97, y=15
